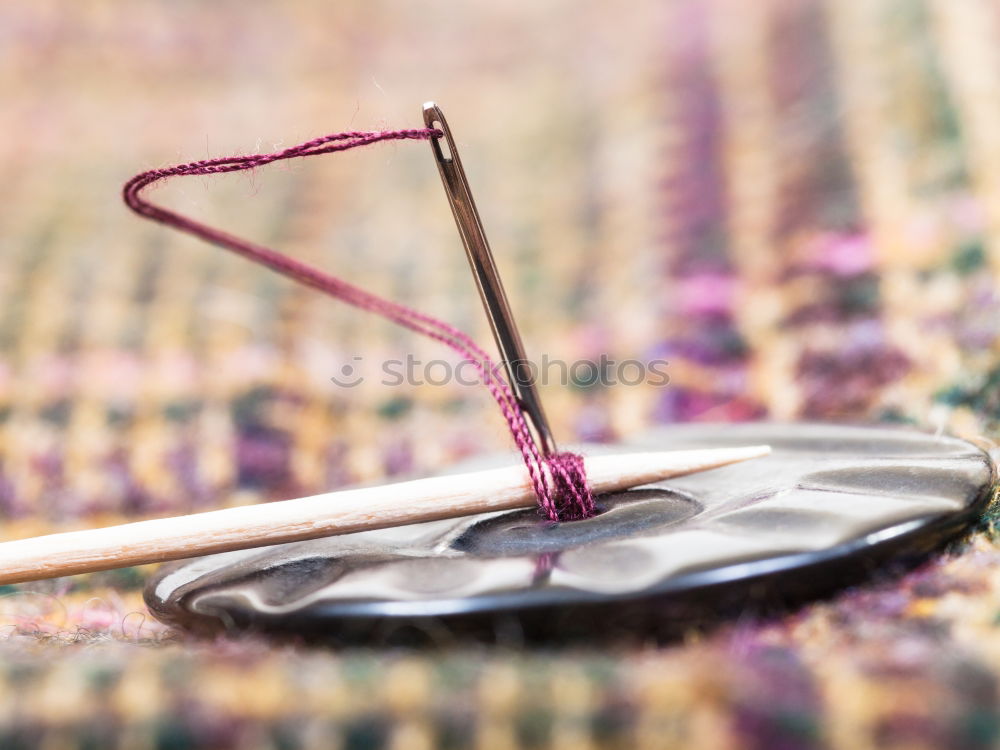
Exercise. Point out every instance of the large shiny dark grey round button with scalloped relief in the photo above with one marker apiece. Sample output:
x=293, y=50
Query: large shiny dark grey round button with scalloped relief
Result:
x=828, y=506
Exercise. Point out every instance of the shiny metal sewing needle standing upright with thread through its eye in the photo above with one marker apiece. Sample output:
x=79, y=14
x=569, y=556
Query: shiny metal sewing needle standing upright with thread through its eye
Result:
x=470, y=227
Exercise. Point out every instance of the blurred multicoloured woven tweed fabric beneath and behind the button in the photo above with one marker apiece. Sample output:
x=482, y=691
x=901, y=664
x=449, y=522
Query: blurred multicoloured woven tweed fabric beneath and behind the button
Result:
x=795, y=202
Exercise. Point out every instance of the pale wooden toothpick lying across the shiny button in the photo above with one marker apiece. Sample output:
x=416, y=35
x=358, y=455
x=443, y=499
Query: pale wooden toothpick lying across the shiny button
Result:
x=330, y=514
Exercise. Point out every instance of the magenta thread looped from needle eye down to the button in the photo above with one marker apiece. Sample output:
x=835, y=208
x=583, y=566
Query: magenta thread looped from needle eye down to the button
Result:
x=559, y=481
